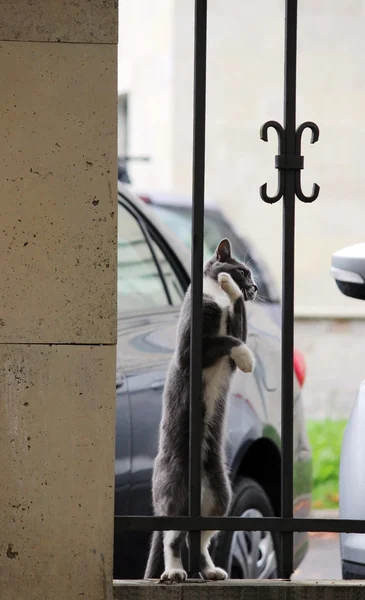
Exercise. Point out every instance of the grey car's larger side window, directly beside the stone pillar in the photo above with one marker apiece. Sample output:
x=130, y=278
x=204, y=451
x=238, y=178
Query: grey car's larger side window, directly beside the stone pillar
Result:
x=139, y=283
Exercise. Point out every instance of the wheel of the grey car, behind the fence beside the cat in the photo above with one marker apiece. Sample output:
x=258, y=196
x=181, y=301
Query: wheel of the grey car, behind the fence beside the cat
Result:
x=249, y=554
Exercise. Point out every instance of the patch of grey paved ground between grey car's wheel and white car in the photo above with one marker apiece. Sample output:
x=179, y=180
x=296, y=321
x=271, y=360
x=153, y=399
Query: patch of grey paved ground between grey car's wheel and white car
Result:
x=322, y=560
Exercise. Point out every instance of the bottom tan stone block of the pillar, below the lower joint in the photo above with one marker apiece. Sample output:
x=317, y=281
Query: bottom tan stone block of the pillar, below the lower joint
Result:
x=57, y=471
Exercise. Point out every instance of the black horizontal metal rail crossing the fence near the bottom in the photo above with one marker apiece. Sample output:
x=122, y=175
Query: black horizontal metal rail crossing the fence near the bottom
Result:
x=276, y=524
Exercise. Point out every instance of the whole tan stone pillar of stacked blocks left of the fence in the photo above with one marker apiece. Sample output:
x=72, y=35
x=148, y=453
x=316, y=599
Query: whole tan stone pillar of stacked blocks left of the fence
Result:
x=58, y=221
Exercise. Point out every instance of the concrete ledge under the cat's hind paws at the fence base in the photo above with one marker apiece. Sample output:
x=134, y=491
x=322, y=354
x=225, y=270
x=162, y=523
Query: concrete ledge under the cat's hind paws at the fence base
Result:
x=240, y=590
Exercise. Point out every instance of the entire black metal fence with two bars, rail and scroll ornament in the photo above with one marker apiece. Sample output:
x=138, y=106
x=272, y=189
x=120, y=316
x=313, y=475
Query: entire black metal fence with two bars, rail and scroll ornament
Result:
x=289, y=163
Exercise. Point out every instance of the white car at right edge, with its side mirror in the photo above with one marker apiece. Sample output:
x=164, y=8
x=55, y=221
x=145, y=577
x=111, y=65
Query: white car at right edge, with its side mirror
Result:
x=348, y=269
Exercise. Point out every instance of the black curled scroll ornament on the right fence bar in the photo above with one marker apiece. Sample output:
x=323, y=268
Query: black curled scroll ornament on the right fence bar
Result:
x=284, y=162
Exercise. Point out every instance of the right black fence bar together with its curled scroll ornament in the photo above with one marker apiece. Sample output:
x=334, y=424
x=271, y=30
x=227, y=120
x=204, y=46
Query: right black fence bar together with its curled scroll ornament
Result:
x=289, y=163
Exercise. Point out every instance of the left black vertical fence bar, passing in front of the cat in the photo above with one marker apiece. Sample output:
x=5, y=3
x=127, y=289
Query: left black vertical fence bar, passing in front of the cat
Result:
x=200, y=52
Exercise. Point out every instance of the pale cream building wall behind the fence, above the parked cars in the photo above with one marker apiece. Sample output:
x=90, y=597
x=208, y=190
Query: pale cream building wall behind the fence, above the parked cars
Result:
x=244, y=89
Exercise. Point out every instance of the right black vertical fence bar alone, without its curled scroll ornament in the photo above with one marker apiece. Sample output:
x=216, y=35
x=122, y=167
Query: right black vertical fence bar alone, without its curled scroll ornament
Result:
x=287, y=382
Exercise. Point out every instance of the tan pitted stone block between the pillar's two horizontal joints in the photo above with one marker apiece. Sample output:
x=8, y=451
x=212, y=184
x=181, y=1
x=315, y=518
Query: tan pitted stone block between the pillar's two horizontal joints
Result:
x=58, y=193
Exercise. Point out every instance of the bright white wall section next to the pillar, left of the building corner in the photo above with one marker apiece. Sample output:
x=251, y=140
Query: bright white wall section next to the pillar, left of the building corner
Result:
x=145, y=74
